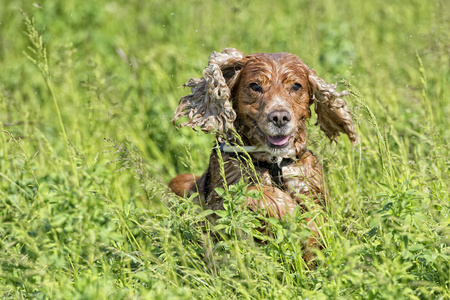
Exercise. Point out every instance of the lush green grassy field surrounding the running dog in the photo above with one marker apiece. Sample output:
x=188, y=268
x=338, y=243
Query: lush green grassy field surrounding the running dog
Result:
x=87, y=94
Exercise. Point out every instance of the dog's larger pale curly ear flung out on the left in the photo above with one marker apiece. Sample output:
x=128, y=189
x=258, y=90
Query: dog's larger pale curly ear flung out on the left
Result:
x=209, y=107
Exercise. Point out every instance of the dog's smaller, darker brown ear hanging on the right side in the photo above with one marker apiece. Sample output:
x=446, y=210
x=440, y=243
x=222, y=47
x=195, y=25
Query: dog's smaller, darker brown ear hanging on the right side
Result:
x=333, y=115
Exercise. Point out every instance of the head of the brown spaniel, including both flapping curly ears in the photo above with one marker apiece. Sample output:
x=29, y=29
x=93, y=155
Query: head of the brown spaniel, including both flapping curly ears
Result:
x=270, y=98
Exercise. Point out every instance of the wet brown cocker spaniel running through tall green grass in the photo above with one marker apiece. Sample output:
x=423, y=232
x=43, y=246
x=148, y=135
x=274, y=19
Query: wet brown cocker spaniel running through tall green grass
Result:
x=259, y=104
